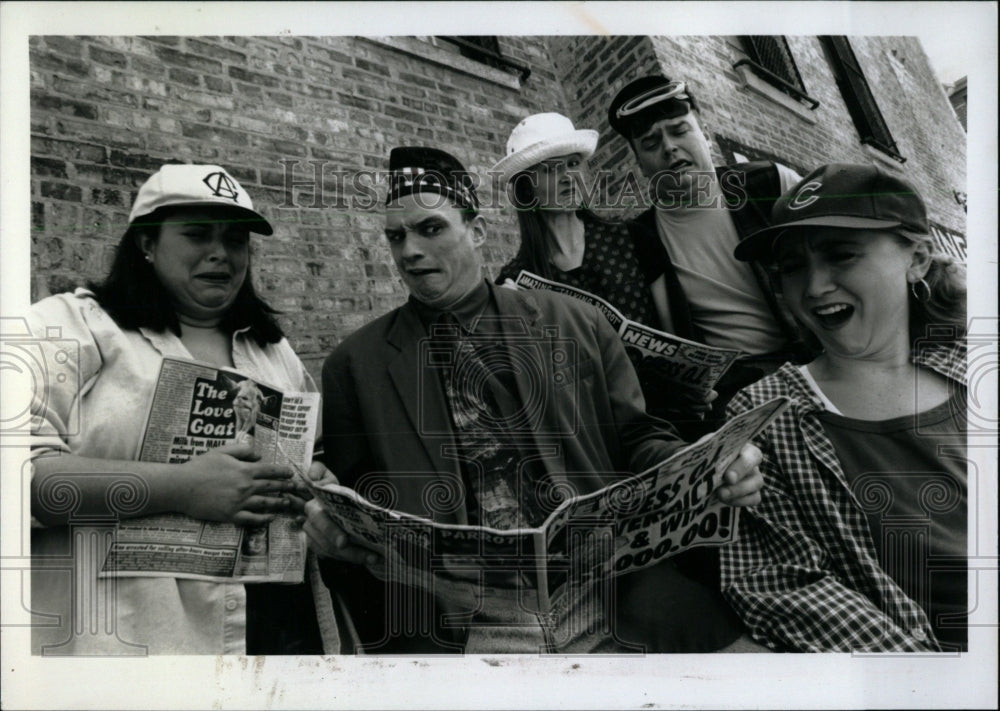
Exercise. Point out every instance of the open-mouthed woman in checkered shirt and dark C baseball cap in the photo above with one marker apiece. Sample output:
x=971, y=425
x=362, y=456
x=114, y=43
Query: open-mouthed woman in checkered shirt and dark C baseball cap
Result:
x=859, y=543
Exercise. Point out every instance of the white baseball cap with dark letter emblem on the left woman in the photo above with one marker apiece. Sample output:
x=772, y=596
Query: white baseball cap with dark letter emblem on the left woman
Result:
x=197, y=186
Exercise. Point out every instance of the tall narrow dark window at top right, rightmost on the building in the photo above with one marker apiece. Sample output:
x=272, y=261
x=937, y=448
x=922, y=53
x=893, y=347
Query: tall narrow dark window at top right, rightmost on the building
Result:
x=858, y=96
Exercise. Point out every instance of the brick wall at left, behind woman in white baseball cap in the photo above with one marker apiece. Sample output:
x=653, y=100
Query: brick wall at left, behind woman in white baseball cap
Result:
x=108, y=111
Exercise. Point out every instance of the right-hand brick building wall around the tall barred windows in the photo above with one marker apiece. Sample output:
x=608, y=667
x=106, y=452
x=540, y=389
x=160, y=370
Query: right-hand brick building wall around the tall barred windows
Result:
x=912, y=103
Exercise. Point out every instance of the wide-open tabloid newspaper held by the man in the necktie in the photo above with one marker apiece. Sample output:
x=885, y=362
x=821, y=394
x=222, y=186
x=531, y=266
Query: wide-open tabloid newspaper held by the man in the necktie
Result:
x=626, y=526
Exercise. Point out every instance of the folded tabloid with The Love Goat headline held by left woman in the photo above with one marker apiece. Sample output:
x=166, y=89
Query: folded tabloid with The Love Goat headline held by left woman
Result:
x=196, y=408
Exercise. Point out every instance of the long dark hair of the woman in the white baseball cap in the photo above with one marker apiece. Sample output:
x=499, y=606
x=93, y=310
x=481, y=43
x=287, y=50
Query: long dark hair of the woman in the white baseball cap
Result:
x=133, y=296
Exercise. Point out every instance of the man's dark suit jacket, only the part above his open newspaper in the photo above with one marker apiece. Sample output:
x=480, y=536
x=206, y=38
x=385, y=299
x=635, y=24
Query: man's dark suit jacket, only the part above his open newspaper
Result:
x=386, y=423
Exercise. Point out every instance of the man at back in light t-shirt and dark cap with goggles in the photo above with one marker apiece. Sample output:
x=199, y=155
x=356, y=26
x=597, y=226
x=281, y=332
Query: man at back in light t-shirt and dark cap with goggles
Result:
x=686, y=240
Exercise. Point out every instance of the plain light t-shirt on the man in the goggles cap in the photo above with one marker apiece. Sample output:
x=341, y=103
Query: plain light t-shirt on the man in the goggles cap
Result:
x=727, y=304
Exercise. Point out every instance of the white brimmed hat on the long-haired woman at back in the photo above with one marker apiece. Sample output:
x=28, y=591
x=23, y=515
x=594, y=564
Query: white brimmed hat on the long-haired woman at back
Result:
x=543, y=136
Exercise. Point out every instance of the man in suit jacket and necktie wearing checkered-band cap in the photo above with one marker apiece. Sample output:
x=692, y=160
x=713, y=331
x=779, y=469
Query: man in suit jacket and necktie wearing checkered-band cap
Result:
x=555, y=401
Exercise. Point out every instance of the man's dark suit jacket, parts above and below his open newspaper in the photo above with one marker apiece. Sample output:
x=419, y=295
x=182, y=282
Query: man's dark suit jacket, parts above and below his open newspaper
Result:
x=387, y=433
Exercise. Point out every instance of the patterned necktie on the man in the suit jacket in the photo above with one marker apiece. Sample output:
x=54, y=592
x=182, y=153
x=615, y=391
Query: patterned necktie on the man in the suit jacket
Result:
x=502, y=490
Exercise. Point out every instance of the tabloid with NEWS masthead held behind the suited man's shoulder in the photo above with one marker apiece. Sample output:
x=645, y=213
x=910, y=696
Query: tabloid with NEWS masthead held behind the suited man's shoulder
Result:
x=677, y=359
